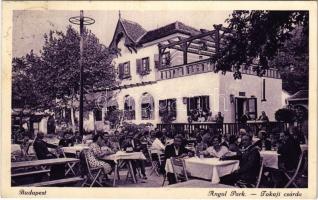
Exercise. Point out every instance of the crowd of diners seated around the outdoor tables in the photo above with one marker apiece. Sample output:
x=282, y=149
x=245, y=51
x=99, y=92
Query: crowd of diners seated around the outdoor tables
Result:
x=245, y=147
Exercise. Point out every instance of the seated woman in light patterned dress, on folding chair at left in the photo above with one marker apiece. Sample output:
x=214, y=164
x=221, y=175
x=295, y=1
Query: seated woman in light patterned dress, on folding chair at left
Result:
x=97, y=151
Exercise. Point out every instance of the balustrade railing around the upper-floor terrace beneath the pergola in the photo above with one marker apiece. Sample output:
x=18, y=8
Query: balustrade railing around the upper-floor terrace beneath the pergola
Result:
x=203, y=66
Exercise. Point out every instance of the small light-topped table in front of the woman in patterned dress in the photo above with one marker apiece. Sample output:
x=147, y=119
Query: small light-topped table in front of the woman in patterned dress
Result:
x=127, y=157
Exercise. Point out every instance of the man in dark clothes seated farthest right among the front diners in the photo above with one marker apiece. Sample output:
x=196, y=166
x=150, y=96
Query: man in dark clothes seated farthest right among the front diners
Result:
x=289, y=151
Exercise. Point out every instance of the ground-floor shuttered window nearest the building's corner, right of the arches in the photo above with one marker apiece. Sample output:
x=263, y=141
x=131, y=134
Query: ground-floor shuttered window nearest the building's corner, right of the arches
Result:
x=198, y=107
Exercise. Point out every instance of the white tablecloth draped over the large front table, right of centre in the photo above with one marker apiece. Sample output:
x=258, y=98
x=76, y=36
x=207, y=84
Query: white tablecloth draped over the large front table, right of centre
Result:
x=207, y=168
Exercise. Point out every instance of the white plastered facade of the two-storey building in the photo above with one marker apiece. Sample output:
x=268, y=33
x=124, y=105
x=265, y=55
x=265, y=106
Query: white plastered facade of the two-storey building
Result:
x=223, y=90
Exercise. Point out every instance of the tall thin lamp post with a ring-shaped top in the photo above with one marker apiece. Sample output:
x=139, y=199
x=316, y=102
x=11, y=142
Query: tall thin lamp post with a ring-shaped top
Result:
x=81, y=21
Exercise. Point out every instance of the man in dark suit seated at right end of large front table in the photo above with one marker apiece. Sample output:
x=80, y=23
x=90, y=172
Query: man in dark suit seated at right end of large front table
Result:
x=249, y=164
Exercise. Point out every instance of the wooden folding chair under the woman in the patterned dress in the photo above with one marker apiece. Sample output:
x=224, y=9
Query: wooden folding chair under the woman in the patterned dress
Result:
x=92, y=173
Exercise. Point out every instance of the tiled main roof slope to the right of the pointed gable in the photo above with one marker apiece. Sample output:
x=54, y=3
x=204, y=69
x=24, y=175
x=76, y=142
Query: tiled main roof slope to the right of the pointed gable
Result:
x=176, y=27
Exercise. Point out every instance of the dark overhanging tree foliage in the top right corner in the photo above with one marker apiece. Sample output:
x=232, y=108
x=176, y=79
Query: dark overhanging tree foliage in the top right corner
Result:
x=257, y=37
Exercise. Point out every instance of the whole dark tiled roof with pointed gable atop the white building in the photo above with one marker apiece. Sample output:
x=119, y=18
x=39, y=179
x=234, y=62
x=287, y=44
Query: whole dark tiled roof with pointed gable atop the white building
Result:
x=137, y=35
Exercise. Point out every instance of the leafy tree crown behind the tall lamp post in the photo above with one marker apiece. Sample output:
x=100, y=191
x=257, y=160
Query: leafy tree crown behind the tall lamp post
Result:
x=54, y=74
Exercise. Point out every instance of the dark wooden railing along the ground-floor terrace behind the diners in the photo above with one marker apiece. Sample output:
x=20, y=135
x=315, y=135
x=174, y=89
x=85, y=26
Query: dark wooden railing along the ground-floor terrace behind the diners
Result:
x=232, y=128
